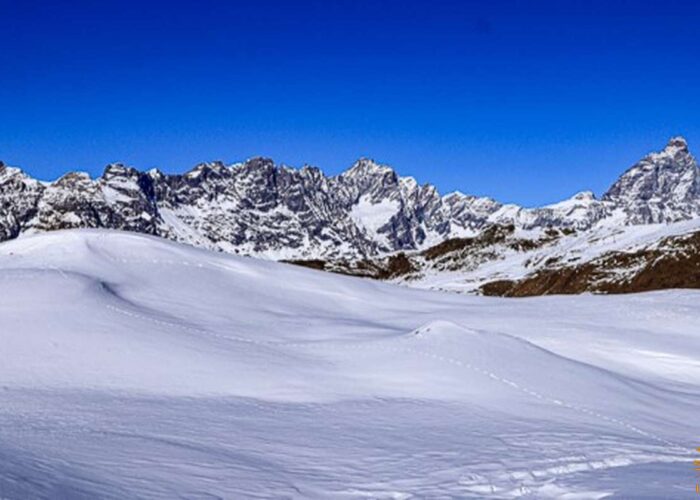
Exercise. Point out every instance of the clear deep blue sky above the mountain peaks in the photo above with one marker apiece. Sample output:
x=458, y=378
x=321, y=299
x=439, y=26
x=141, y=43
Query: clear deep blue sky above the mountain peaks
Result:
x=525, y=101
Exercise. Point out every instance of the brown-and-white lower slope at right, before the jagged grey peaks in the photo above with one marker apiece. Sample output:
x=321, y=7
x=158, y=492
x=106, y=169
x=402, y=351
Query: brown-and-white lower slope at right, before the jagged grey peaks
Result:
x=504, y=261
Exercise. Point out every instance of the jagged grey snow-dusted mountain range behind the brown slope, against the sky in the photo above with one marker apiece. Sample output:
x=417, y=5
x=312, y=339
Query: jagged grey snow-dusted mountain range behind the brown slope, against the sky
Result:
x=258, y=208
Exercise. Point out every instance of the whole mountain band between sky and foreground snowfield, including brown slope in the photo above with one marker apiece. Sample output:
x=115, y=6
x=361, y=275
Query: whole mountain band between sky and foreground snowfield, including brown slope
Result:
x=642, y=234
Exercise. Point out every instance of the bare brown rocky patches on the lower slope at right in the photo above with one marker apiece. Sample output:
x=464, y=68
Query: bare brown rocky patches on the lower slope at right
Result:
x=671, y=262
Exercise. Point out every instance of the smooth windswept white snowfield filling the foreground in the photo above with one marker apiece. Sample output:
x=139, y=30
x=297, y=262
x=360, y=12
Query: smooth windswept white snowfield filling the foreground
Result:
x=133, y=367
